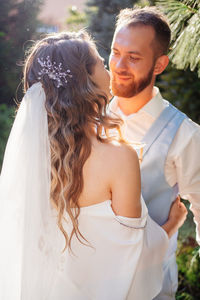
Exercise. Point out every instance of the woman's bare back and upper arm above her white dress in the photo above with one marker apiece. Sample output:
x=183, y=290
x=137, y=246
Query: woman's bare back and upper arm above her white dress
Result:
x=112, y=173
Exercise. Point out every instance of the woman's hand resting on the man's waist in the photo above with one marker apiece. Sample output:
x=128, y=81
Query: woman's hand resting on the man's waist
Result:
x=177, y=216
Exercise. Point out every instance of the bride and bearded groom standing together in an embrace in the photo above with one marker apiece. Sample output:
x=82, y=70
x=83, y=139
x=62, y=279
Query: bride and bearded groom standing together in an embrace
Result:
x=80, y=217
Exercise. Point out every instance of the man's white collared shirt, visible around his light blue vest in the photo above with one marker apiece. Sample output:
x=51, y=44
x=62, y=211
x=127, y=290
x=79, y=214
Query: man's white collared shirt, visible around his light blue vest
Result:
x=183, y=163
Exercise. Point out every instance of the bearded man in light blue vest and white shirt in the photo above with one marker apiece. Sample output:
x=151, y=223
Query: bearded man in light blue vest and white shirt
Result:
x=170, y=163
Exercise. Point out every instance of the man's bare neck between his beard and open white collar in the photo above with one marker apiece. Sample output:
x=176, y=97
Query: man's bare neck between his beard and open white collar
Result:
x=132, y=105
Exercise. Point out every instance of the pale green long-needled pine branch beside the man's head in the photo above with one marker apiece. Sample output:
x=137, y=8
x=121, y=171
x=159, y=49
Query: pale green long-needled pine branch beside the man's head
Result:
x=184, y=17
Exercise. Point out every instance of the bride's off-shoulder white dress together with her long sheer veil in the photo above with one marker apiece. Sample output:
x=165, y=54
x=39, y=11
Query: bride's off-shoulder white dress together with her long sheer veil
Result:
x=124, y=259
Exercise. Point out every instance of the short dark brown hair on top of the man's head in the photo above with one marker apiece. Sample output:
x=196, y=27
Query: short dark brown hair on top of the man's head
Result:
x=148, y=16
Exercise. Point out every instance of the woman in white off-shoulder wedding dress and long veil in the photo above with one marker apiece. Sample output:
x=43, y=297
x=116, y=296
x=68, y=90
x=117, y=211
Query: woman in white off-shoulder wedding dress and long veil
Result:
x=73, y=225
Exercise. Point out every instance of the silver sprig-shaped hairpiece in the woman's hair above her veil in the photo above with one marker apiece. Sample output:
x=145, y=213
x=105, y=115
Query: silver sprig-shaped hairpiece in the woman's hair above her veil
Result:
x=53, y=71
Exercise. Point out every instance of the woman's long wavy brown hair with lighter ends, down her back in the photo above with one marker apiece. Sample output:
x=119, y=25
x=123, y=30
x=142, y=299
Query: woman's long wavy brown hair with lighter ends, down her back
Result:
x=72, y=110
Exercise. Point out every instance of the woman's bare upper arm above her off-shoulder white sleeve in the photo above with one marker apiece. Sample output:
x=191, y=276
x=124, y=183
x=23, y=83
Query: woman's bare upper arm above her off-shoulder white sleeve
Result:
x=125, y=182
